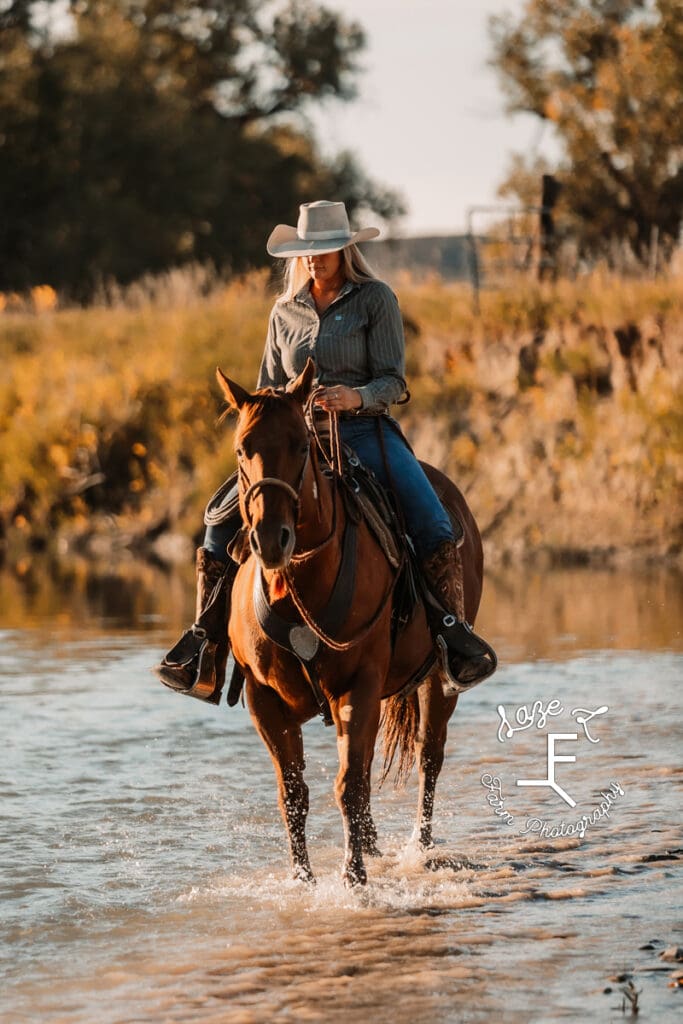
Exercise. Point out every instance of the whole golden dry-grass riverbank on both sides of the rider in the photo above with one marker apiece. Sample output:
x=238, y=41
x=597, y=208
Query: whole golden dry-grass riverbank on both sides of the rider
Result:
x=108, y=414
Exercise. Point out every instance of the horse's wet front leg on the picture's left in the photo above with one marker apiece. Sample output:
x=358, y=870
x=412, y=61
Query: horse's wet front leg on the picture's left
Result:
x=283, y=738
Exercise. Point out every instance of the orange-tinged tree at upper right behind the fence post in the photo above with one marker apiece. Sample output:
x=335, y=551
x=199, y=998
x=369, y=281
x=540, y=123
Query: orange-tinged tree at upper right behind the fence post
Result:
x=608, y=75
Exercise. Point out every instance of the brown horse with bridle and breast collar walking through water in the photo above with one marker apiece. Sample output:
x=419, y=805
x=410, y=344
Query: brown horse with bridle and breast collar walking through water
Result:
x=295, y=521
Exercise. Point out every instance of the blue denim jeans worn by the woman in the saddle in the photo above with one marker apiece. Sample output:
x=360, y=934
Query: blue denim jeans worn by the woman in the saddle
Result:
x=426, y=520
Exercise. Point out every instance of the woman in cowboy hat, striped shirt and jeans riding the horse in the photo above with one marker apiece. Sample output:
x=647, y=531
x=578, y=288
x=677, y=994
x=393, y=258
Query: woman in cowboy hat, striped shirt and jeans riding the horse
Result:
x=334, y=310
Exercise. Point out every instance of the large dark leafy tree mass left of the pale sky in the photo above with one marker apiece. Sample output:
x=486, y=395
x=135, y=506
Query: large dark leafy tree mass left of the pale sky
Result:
x=138, y=135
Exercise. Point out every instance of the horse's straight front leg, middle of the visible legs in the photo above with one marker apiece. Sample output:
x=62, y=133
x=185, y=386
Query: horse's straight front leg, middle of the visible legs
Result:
x=357, y=717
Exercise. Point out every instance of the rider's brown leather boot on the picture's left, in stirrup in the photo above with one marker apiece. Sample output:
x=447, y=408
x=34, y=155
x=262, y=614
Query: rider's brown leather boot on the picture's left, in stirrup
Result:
x=196, y=666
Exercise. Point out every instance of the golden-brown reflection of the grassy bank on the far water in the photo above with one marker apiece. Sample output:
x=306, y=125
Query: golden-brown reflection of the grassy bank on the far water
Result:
x=534, y=614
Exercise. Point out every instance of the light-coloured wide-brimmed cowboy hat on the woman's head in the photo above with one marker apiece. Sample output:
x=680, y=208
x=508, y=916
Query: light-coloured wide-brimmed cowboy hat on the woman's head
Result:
x=323, y=228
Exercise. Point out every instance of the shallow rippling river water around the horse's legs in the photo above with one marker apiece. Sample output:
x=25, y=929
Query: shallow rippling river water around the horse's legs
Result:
x=145, y=871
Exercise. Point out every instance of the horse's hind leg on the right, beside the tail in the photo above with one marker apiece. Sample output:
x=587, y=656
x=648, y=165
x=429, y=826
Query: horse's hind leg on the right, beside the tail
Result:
x=436, y=710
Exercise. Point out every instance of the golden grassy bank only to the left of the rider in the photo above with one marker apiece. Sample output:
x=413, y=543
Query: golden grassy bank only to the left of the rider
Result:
x=114, y=408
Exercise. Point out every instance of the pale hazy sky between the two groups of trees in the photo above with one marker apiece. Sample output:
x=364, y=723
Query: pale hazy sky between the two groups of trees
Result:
x=430, y=120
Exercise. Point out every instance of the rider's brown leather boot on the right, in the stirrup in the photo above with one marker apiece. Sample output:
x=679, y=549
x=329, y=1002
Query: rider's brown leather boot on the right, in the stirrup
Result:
x=466, y=659
